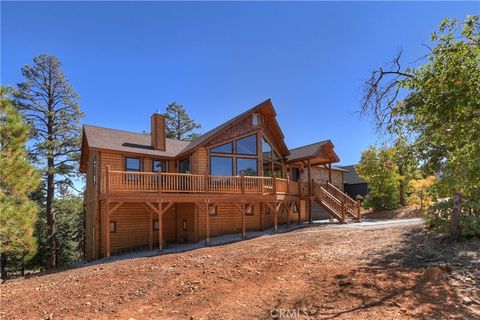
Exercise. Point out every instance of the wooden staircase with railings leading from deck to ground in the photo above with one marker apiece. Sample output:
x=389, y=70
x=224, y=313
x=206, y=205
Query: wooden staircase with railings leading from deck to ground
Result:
x=338, y=204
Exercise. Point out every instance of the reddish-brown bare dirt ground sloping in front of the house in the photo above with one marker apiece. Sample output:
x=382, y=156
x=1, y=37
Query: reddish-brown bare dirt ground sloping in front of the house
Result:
x=396, y=272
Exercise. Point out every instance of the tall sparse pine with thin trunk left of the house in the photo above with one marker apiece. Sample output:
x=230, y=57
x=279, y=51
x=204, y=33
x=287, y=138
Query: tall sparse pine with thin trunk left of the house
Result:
x=49, y=103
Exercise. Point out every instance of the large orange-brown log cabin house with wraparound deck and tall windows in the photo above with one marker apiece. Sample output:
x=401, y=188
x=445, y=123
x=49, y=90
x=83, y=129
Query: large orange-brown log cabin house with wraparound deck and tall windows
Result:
x=145, y=191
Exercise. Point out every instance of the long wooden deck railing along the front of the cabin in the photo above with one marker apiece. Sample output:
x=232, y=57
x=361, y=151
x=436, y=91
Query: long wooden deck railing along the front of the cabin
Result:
x=123, y=181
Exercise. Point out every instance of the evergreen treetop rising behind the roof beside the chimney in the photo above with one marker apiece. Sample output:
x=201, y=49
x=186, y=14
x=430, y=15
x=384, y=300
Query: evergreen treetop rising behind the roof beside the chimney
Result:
x=179, y=124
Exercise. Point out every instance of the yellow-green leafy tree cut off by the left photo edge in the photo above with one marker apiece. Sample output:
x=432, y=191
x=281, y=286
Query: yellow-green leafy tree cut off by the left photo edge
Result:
x=17, y=179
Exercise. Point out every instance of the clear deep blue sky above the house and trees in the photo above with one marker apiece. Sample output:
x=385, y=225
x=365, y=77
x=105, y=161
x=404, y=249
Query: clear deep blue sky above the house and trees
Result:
x=126, y=60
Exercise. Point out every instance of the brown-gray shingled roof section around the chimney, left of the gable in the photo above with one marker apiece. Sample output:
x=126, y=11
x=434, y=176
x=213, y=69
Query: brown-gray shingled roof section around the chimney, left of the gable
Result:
x=126, y=141
